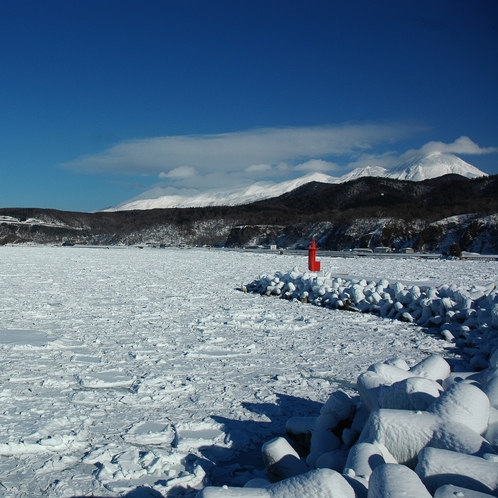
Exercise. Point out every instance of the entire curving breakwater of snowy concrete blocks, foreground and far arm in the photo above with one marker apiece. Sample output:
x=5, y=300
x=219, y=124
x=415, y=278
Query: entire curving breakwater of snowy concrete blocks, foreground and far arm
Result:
x=417, y=431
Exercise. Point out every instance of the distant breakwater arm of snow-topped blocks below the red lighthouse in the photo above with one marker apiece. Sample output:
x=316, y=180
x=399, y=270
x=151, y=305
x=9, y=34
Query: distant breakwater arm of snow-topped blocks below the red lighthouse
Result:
x=468, y=318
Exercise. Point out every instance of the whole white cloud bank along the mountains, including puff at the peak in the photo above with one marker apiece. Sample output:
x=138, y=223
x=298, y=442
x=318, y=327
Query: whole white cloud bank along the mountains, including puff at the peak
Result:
x=236, y=159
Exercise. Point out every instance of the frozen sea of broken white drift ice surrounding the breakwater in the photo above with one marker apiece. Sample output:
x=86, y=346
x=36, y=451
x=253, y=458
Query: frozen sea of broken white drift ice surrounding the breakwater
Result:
x=130, y=368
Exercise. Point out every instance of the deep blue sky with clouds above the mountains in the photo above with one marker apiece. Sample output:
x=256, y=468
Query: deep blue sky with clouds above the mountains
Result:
x=103, y=99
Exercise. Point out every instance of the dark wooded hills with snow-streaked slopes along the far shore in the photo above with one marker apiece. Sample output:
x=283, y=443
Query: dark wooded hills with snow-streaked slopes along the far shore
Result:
x=366, y=212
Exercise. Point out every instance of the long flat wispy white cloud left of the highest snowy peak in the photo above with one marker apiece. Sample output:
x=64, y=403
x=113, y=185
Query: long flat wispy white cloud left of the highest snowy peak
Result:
x=259, y=151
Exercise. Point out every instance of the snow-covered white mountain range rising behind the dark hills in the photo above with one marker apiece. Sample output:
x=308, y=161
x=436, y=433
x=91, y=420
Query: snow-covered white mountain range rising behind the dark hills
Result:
x=418, y=168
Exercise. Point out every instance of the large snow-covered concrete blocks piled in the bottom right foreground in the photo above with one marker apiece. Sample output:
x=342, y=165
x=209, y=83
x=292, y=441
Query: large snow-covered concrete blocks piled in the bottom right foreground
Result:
x=450, y=440
